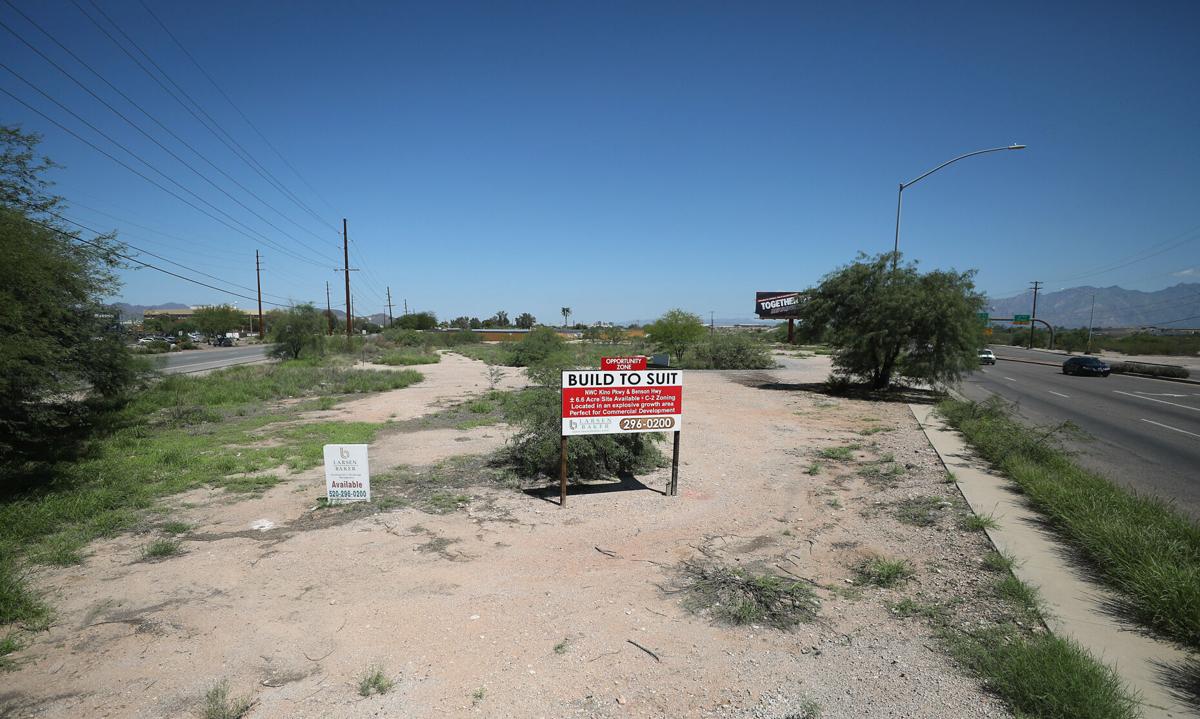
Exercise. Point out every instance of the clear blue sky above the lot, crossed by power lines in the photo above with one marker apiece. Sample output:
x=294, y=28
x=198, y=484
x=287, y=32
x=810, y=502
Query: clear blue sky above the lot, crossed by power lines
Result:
x=627, y=158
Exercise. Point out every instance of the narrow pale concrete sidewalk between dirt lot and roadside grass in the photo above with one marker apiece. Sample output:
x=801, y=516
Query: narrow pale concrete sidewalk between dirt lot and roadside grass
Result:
x=1073, y=606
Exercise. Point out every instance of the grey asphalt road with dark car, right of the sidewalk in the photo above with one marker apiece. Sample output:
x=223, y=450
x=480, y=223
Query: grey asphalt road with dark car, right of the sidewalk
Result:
x=1145, y=433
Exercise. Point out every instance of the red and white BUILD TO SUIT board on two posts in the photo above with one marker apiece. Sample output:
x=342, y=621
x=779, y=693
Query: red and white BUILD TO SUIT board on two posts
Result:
x=617, y=403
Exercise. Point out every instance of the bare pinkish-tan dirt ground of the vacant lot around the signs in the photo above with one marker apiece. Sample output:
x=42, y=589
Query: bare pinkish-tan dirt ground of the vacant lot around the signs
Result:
x=507, y=607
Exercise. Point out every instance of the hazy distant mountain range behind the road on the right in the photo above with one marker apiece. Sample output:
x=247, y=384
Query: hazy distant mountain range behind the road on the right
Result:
x=1115, y=307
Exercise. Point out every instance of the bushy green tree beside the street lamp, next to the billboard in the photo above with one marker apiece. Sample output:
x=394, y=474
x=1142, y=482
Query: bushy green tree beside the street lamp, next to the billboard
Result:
x=905, y=325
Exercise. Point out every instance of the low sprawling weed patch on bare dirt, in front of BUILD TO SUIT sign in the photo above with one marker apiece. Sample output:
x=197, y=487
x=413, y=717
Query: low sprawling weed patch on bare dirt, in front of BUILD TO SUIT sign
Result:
x=736, y=596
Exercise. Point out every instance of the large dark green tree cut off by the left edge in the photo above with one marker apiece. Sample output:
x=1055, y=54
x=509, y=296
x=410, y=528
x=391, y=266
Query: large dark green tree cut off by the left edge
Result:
x=61, y=352
